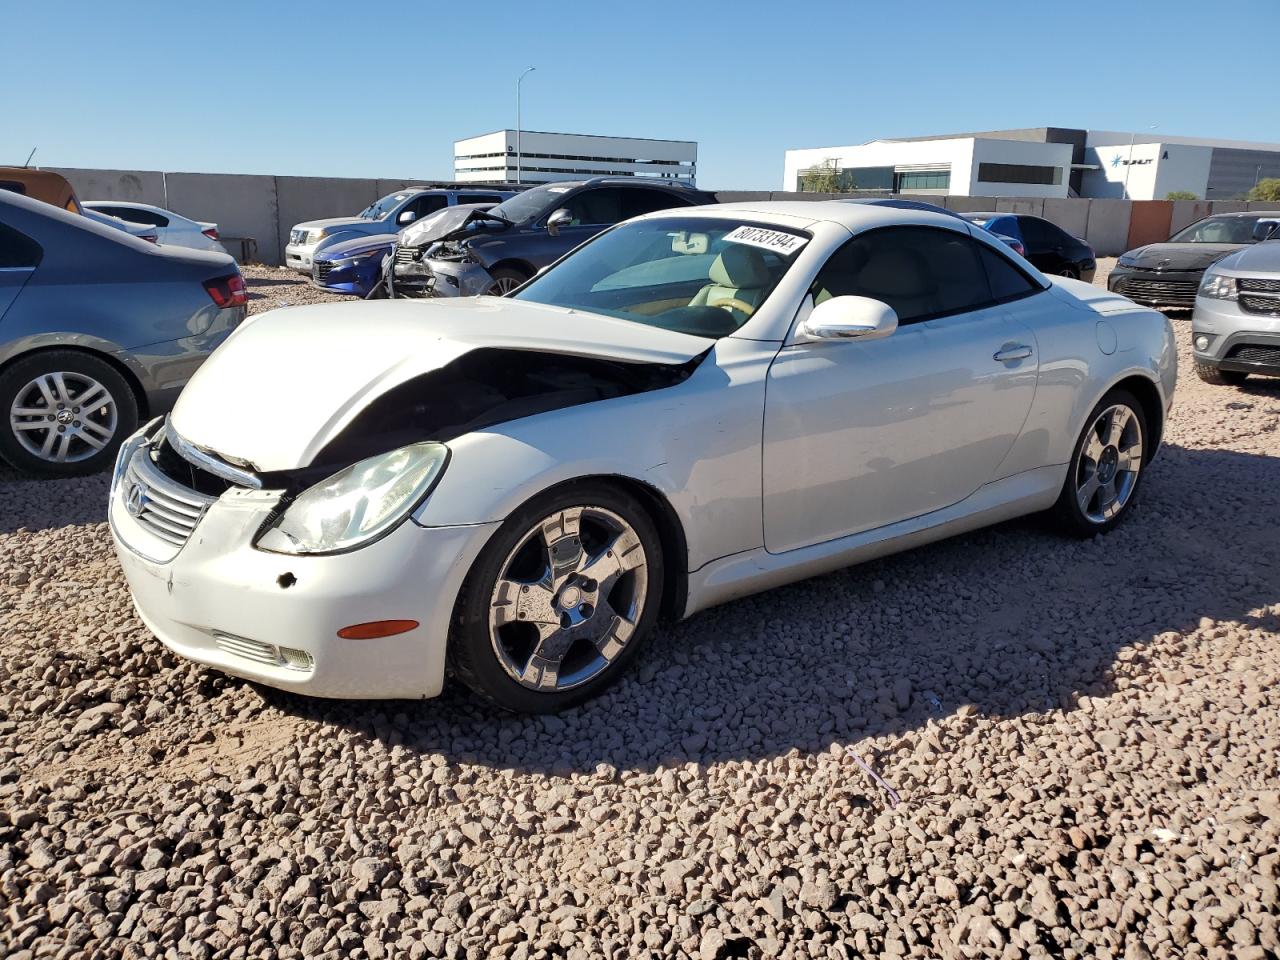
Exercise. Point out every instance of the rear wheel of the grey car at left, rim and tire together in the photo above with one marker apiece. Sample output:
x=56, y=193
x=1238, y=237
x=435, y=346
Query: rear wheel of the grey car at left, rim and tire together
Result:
x=66, y=414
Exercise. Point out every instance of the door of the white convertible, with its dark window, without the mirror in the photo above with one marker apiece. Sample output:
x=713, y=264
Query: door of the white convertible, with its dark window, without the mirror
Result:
x=860, y=435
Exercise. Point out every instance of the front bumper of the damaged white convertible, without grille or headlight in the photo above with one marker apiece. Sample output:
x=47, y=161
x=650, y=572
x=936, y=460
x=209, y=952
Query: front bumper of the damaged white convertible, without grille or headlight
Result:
x=218, y=601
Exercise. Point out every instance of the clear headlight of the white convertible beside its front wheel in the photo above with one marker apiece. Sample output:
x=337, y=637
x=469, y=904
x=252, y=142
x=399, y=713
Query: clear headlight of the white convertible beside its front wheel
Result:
x=358, y=505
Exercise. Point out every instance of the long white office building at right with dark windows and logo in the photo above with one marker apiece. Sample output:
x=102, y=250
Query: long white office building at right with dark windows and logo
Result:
x=1041, y=162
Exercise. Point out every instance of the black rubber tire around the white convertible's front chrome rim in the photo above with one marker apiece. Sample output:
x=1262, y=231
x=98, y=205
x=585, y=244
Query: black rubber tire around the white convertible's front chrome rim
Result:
x=472, y=651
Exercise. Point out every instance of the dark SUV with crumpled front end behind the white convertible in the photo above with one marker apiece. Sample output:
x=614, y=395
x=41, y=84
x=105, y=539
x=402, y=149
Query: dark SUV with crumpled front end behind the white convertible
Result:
x=496, y=250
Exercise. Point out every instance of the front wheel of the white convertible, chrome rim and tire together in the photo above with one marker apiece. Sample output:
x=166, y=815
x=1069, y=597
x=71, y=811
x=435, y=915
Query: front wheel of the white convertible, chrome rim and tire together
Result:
x=560, y=601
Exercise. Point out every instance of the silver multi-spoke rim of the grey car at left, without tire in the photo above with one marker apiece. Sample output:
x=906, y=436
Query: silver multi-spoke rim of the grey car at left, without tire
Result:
x=63, y=418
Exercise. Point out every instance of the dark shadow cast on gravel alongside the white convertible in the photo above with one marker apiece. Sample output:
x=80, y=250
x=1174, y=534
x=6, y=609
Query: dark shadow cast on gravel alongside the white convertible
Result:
x=1013, y=620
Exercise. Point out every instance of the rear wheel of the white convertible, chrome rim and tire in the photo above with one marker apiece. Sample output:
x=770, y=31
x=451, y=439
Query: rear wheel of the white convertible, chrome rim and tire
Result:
x=1107, y=468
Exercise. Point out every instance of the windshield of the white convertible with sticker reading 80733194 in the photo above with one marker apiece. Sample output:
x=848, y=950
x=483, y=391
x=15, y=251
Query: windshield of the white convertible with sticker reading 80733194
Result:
x=698, y=276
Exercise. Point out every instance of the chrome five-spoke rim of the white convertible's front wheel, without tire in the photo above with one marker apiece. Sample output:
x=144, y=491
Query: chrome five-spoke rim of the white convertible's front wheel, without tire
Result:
x=569, y=598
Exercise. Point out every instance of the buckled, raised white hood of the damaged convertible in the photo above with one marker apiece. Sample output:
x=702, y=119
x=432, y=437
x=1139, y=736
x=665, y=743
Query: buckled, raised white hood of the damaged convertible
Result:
x=289, y=382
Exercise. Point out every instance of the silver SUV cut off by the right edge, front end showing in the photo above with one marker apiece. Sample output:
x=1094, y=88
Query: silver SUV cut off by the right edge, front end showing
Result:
x=1236, y=326
